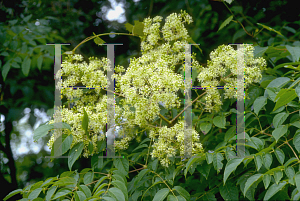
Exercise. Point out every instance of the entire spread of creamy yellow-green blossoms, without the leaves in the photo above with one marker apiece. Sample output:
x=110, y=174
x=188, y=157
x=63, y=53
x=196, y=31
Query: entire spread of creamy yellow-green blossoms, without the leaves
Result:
x=148, y=81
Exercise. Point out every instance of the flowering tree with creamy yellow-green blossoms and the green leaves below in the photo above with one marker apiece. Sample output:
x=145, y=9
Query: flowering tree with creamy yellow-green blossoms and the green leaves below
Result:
x=148, y=94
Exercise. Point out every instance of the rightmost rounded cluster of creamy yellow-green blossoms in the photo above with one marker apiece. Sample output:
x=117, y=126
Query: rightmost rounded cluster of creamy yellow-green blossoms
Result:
x=224, y=66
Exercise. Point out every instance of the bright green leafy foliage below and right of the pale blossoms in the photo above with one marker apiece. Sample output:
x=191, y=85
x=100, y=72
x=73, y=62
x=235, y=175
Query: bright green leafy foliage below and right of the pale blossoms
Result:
x=272, y=138
